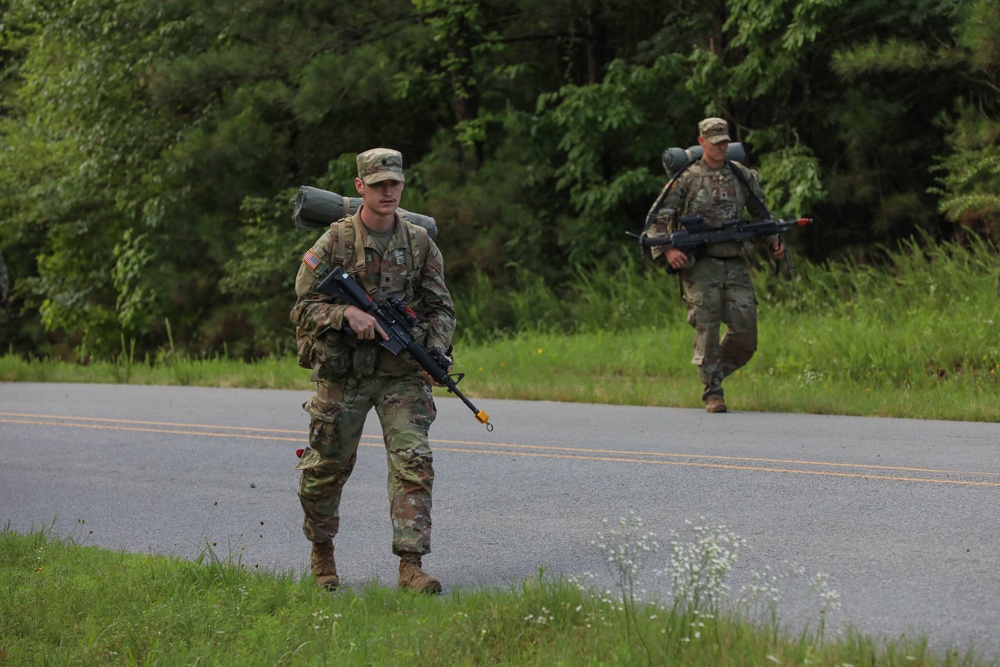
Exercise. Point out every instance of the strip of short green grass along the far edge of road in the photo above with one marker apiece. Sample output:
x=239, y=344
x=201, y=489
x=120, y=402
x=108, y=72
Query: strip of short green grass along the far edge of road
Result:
x=641, y=367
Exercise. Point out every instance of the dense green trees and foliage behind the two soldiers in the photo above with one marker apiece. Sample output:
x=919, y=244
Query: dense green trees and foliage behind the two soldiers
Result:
x=152, y=148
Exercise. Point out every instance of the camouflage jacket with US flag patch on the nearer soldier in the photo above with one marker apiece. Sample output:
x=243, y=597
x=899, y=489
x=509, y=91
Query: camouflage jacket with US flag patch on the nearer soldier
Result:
x=411, y=269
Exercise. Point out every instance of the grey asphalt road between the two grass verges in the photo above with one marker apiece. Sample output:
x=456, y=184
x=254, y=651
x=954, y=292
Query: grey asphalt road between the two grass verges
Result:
x=902, y=514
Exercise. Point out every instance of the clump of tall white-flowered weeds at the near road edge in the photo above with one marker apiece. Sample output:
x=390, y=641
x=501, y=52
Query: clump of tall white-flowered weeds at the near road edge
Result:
x=700, y=608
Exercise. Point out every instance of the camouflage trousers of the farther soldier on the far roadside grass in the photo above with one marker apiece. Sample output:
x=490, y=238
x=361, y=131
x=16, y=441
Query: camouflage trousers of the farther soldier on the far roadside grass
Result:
x=719, y=291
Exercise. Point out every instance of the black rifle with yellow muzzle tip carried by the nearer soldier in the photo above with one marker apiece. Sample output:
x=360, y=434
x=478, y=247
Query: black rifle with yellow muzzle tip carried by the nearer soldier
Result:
x=396, y=319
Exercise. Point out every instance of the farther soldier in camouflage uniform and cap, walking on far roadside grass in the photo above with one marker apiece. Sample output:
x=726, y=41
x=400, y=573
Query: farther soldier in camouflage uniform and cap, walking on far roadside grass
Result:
x=716, y=282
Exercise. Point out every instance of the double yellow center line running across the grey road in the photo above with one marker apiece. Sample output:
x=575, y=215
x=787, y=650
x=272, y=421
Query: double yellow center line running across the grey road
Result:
x=498, y=449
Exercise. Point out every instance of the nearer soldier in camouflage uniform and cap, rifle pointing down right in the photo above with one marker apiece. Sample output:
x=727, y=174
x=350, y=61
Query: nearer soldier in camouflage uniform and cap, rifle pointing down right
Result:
x=353, y=373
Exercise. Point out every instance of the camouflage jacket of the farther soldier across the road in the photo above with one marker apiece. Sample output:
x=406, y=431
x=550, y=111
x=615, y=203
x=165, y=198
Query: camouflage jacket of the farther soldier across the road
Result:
x=718, y=195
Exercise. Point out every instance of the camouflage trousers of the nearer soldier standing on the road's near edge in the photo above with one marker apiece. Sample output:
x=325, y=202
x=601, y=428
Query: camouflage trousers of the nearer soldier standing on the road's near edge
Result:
x=405, y=408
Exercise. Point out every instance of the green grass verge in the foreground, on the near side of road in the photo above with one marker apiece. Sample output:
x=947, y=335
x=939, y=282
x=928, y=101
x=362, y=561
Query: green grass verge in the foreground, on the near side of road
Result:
x=63, y=603
